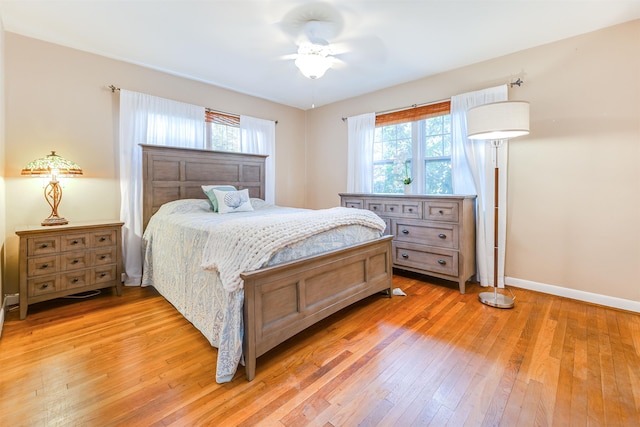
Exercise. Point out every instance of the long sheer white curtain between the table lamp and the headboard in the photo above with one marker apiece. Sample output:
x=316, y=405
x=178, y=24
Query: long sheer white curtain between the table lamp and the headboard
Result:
x=146, y=119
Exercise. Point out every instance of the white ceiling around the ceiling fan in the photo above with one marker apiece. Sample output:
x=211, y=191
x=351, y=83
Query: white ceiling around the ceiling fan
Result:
x=242, y=45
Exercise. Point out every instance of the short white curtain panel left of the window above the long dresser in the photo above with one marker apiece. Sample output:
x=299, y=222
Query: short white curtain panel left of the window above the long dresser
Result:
x=360, y=153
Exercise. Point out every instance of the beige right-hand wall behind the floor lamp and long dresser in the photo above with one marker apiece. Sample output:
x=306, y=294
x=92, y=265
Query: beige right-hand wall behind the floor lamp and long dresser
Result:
x=574, y=182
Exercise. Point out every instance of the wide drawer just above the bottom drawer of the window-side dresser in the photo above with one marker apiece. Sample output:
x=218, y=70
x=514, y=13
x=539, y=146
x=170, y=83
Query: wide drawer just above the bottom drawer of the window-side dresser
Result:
x=427, y=233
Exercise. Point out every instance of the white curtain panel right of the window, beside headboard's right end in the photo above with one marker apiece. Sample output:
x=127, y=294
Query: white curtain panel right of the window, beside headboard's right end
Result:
x=258, y=136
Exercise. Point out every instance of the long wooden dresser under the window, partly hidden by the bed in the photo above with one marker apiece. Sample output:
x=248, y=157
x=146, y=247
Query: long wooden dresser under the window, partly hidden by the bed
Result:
x=432, y=235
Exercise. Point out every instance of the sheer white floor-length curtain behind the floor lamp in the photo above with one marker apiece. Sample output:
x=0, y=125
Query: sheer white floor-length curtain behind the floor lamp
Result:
x=473, y=162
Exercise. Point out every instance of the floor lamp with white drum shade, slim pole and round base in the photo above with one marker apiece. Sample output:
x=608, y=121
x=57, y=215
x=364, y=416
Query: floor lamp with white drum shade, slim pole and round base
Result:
x=496, y=122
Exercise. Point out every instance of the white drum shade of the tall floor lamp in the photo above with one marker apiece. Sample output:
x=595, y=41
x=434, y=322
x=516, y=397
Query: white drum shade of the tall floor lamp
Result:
x=498, y=120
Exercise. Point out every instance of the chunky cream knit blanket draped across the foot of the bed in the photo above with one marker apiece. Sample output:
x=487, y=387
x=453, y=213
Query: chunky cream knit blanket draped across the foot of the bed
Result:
x=247, y=244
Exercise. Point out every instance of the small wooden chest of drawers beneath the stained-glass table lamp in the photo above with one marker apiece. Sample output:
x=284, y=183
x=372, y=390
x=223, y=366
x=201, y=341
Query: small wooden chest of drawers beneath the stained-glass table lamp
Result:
x=56, y=261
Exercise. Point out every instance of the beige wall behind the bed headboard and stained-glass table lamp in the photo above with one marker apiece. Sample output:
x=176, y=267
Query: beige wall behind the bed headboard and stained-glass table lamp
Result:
x=58, y=99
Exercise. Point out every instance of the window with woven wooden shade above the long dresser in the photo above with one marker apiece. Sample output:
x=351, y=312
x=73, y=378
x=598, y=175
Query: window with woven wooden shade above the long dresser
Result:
x=416, y=144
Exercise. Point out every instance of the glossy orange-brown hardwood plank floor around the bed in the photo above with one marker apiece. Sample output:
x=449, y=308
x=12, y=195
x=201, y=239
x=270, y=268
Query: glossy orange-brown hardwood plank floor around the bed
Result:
x=434, y=357
